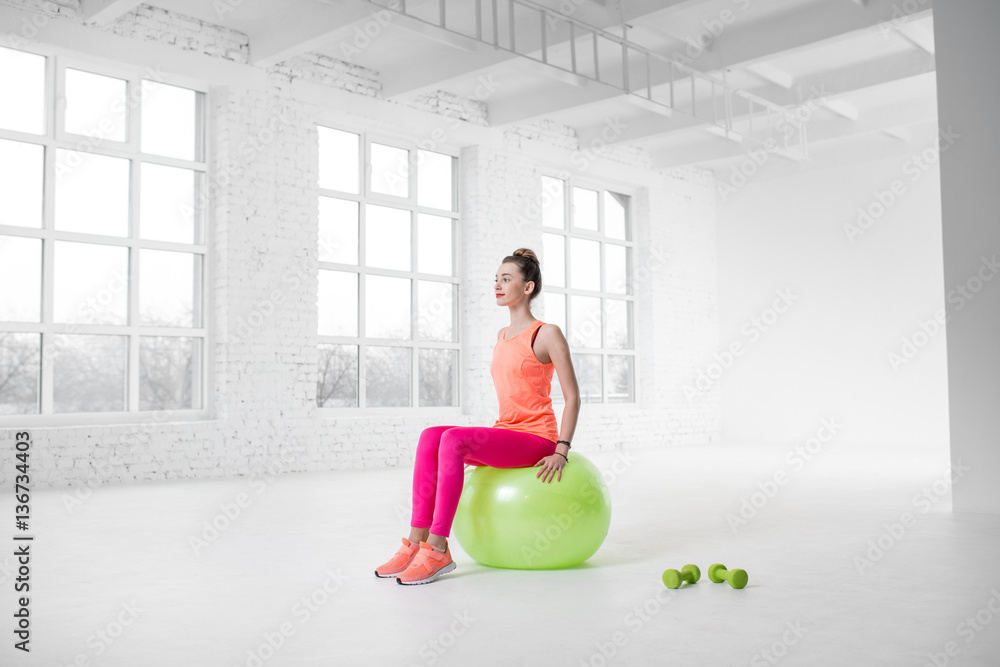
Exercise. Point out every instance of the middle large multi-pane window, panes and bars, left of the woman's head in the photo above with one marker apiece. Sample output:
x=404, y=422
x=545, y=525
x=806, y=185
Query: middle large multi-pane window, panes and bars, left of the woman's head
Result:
x=388, y=290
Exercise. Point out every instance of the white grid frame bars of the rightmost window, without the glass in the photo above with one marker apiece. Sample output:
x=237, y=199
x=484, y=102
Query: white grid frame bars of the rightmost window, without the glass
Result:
x=571, y=180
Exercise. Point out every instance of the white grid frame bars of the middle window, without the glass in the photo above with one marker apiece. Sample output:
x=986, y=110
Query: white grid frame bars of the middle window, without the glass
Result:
x=367, y=136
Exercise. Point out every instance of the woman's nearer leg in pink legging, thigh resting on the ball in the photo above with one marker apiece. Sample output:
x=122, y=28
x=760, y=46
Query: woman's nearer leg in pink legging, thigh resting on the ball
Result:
x=495, y=447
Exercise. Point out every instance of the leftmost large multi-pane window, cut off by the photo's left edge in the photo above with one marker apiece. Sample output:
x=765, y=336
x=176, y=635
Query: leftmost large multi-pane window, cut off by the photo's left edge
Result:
x=102, y=255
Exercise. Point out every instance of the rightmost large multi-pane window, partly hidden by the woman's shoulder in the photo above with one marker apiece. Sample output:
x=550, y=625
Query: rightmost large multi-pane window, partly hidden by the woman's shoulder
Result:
x=587, y=246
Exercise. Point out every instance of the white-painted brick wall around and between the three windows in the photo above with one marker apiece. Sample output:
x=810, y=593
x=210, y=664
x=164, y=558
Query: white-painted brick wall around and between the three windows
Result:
x=263, y=291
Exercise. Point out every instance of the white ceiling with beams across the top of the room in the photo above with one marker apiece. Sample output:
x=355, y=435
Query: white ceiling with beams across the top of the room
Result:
x=873, y=73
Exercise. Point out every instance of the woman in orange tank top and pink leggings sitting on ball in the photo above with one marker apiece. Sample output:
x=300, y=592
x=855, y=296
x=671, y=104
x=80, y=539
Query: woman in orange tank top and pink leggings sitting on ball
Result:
x=526, y=434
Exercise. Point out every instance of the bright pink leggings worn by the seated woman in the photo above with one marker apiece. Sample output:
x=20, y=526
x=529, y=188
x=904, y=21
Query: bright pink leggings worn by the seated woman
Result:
x=442, y=452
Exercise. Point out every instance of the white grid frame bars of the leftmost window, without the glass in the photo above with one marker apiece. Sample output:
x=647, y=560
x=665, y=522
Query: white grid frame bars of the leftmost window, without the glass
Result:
x=55, y=138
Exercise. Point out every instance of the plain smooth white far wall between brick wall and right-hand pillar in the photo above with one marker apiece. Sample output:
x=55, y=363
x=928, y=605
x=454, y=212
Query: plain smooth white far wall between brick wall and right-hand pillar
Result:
x=853, y=303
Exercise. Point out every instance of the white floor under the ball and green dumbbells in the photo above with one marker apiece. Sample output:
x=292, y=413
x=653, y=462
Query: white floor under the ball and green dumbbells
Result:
x=299, y=557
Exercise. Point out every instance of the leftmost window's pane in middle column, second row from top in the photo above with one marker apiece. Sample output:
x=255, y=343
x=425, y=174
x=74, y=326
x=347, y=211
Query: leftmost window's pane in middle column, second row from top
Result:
x=92, y=193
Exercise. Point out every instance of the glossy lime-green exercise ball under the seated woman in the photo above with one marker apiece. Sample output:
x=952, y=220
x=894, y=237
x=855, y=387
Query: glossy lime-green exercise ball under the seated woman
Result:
x=509, y=518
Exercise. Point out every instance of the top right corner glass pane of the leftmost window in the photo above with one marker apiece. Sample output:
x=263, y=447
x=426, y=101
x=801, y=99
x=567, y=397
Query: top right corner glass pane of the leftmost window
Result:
x=169, y=120
